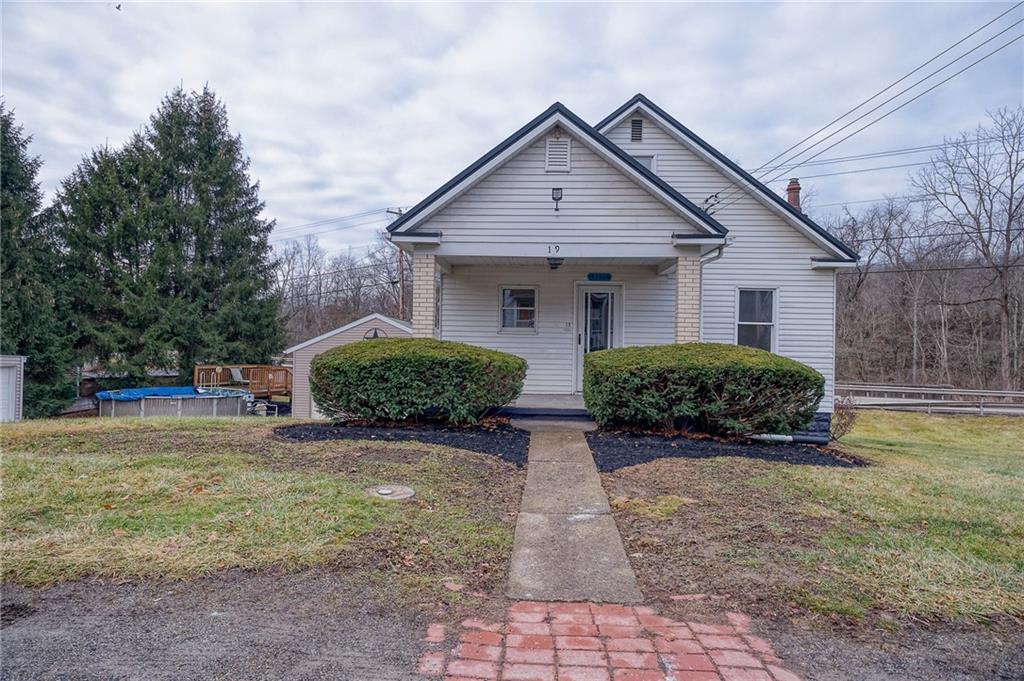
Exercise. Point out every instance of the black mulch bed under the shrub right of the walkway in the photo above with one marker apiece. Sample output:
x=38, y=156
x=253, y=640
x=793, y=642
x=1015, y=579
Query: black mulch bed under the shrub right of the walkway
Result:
x=618, y=450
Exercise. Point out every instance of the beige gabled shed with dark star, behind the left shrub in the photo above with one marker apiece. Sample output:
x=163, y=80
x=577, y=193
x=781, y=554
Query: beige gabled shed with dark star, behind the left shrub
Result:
x=372, y=326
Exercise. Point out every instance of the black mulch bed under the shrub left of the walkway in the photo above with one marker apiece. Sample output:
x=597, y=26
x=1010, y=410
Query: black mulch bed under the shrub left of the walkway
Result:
x=501, y=441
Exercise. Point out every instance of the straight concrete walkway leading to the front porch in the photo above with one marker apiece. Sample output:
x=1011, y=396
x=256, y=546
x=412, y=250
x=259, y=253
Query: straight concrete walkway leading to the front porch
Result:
x=567, y=545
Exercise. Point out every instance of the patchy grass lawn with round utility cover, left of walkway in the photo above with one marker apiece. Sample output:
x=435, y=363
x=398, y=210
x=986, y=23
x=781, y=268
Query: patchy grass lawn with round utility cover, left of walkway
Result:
x=180, y=498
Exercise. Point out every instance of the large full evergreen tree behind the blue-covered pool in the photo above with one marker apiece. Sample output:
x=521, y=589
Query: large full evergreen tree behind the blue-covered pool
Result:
x=170, y=253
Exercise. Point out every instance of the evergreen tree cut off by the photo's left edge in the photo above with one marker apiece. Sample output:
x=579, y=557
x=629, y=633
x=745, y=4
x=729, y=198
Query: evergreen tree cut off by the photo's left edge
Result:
x=33, y=308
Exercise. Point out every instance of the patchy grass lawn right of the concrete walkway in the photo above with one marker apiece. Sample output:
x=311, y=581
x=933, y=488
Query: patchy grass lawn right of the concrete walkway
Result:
x=932, y=530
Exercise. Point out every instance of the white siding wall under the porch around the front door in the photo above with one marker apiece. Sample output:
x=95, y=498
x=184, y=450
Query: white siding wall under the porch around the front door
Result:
x=470, y=313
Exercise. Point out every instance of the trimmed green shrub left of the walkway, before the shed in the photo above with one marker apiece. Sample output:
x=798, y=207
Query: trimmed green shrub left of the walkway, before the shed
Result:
x=396, y=379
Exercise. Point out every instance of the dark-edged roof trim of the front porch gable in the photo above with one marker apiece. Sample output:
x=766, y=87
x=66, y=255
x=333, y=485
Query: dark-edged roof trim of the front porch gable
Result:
x=558, y=114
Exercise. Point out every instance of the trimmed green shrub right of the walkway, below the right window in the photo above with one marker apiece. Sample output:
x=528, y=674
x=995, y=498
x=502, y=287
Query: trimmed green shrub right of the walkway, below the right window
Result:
x=714, y=388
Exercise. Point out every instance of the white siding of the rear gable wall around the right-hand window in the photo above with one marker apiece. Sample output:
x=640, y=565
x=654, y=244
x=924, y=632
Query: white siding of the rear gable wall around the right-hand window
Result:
x=766, y=252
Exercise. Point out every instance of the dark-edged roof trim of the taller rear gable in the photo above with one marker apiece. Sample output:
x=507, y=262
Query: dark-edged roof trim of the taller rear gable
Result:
x=792, y=216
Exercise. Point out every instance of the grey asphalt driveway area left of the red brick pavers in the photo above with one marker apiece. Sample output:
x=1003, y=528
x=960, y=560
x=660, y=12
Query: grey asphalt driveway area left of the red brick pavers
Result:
x=237, y=625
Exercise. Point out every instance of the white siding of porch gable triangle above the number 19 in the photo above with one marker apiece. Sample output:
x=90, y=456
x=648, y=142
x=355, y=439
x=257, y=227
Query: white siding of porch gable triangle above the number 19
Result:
x=601, y=205
